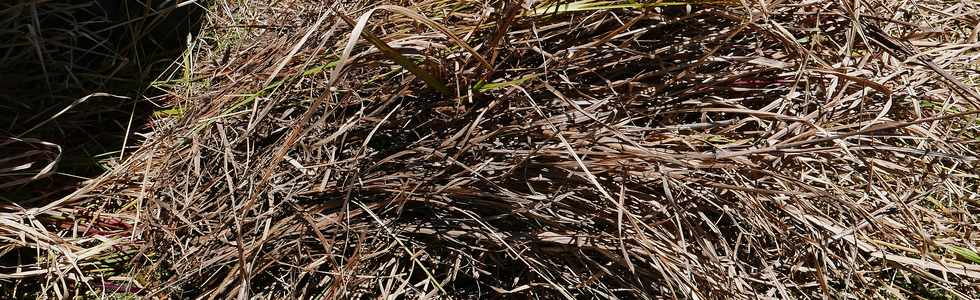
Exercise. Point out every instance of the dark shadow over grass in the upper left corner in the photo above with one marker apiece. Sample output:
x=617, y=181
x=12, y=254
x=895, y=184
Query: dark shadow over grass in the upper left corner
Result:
x=56, y=52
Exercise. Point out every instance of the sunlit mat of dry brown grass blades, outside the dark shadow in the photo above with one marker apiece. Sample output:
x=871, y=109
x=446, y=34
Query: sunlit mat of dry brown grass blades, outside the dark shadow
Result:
x=456, y=149
